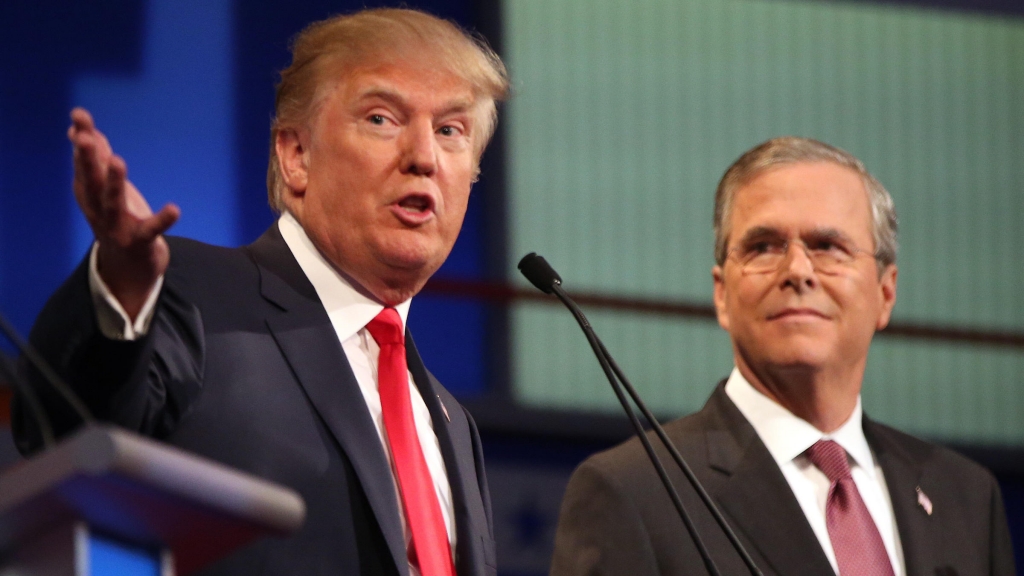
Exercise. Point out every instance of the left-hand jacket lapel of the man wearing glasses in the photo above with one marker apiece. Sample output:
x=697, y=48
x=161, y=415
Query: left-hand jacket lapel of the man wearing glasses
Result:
x=756, y=497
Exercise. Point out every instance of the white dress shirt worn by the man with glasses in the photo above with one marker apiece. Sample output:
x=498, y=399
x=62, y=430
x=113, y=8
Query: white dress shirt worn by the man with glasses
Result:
x=788, y=437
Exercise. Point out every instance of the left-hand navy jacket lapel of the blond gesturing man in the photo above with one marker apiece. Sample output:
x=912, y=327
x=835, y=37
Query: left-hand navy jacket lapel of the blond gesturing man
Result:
x=311, y=347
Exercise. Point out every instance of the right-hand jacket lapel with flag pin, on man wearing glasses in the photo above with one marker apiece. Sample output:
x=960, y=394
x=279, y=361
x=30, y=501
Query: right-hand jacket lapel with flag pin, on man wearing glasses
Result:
x=918, y=531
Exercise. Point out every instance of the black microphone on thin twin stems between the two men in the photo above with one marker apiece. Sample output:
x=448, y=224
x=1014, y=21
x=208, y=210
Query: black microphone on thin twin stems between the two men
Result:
x=540, y=273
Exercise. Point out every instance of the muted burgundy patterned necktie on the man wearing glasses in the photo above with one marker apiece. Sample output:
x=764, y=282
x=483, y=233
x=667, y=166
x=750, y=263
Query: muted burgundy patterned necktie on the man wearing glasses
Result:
x=860, y=551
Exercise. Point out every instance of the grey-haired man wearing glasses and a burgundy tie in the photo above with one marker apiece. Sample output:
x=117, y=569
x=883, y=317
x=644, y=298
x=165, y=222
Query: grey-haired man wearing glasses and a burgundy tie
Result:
x=805, y=250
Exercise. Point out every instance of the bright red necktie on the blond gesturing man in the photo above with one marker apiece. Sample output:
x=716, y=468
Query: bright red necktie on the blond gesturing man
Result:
x=431, y=550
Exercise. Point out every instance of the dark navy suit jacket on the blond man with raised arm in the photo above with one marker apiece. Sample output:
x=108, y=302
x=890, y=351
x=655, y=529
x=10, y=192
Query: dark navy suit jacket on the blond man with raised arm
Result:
x=242, y=365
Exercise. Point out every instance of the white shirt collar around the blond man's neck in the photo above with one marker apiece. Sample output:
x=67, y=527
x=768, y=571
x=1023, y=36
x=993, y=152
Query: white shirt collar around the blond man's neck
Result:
x=349, y=308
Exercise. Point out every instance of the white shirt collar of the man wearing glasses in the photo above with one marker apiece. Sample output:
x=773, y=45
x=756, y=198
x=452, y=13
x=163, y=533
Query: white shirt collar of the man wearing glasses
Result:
x=787, y=436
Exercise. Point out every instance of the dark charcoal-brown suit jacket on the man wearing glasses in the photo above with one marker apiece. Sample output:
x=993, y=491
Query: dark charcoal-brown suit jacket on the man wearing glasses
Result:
x=618, y=519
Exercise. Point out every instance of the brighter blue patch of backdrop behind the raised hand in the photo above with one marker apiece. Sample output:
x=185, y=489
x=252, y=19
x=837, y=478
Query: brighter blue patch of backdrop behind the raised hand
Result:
x=174, y=122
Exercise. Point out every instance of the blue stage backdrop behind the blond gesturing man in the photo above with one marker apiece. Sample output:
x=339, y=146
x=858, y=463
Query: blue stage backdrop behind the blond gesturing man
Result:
x=185, y=91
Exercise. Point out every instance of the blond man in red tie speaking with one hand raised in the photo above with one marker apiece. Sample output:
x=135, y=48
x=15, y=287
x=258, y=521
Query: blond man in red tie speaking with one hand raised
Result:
x=289, y=358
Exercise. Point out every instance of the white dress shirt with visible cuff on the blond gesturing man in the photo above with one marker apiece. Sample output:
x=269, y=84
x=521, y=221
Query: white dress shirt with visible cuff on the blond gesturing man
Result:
x=350, y=311
